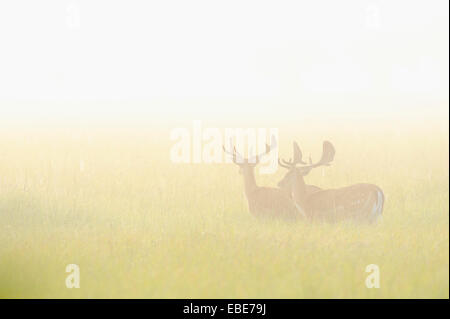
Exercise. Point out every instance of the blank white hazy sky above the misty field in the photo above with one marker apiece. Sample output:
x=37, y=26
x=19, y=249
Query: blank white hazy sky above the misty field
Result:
x=286, y=52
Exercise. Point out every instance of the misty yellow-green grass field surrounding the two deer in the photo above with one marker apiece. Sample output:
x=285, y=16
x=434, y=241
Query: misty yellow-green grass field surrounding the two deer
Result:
x=139, y=226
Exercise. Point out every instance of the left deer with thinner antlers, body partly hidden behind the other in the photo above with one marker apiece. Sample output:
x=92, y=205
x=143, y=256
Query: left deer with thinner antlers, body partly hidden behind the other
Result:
x=263, y=202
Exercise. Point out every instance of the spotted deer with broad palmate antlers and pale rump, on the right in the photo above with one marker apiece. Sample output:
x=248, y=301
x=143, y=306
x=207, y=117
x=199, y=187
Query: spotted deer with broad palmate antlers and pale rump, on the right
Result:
x=359, y=202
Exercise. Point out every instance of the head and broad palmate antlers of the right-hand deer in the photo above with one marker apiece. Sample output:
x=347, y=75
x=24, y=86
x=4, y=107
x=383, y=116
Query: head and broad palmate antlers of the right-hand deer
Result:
x=296, y=171
